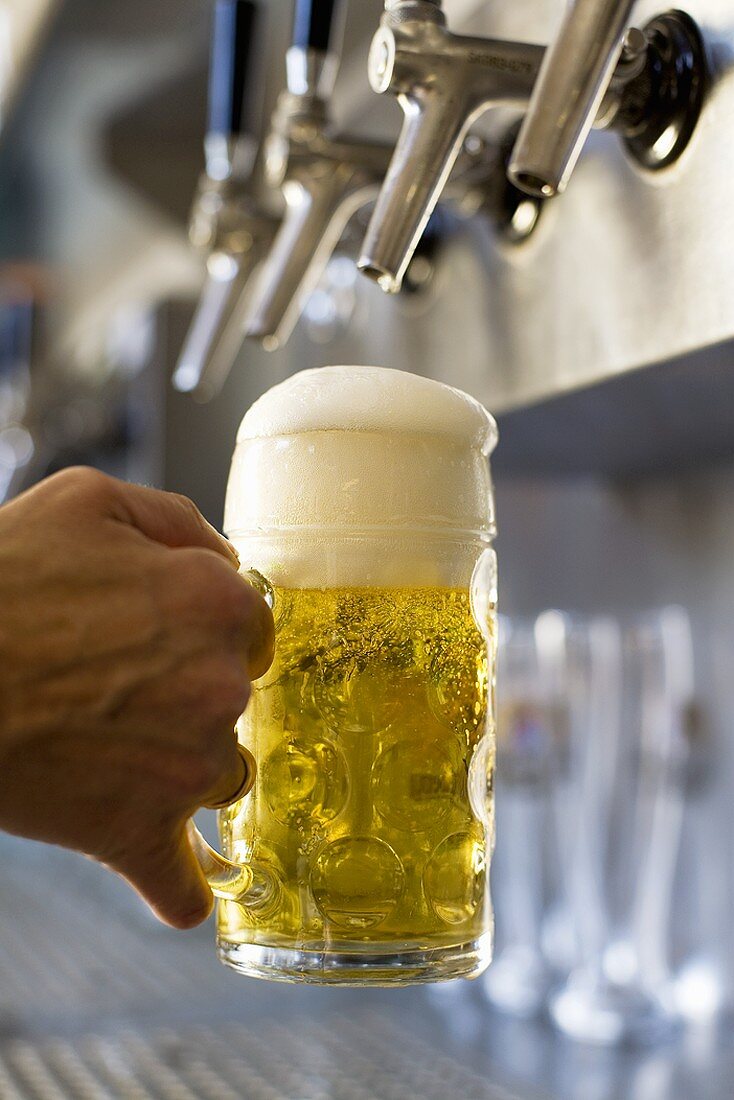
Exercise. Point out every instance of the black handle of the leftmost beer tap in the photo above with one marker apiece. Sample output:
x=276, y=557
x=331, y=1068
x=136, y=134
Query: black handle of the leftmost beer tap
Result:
x=233, y=65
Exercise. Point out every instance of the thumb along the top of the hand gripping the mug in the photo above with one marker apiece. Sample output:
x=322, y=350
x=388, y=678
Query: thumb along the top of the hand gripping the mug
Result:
x=169, y=519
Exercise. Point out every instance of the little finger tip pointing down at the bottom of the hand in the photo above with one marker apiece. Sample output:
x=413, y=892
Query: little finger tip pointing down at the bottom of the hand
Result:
x=171, y=882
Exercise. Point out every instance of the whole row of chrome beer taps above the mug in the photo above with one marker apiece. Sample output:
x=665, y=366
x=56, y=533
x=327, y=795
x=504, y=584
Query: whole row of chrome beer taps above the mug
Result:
x=267, y=255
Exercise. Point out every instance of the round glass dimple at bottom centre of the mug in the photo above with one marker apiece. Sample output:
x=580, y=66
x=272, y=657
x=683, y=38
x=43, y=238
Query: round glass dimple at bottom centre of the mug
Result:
x=357, y=883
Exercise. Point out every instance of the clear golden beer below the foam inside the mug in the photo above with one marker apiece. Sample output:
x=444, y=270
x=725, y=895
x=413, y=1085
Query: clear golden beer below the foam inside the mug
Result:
x=365, y=730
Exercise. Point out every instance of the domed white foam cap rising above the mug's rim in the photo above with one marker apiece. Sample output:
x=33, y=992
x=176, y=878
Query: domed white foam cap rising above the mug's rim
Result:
x=369, y=399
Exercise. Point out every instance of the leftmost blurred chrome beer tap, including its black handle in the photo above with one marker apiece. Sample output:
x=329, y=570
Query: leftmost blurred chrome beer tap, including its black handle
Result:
x=229, y=226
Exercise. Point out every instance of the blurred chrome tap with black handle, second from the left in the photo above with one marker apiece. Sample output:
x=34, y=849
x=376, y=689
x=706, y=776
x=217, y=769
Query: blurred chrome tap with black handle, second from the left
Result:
x=325, y=179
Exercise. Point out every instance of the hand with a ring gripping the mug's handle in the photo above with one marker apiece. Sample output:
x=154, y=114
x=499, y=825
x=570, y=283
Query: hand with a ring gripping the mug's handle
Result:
x=128, y=643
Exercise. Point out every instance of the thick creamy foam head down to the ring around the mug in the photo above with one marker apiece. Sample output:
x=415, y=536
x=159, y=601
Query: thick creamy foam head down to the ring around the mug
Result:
x=360, y=449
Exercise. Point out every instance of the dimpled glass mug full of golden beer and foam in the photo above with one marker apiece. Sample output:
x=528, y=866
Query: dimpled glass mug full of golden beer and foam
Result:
x=361, y=505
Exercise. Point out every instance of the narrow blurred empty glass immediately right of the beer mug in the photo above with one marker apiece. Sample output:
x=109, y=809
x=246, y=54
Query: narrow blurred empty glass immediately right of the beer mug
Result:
x=532, y=725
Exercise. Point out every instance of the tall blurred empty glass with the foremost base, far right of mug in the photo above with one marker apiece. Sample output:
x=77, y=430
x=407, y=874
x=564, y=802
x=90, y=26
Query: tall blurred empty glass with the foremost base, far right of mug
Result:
x=620, y=794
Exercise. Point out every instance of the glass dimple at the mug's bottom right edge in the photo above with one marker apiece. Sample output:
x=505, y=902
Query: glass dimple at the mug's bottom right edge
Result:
x=455, y=878
